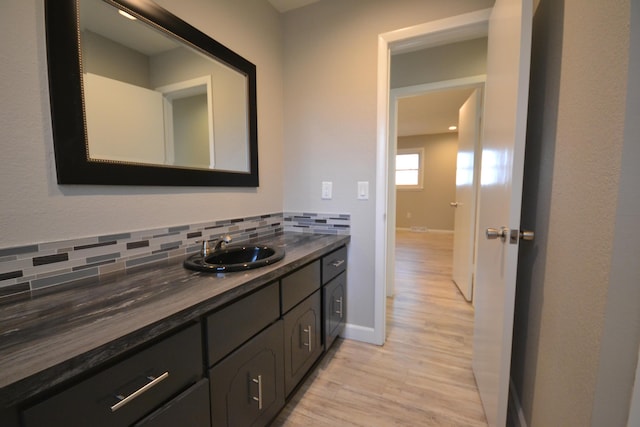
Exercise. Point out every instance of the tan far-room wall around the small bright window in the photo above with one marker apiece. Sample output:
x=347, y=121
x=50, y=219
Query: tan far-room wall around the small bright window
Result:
x=429, y=208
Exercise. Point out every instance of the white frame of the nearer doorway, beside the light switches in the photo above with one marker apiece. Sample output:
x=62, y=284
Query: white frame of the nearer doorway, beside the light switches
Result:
x=443, y=31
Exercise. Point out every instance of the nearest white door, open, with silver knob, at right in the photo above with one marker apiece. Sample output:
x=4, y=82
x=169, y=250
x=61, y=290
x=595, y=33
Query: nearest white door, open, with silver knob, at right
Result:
x=505, y=116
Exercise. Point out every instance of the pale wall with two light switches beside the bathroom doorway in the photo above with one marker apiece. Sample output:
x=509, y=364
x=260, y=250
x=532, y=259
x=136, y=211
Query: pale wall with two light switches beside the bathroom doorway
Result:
x=330, y=115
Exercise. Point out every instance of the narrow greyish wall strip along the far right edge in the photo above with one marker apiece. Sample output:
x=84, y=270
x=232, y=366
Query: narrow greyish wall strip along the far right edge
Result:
x=621, y=338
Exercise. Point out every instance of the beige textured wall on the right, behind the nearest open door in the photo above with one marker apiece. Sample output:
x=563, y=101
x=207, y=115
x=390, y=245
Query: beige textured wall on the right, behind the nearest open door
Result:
x=577, y=319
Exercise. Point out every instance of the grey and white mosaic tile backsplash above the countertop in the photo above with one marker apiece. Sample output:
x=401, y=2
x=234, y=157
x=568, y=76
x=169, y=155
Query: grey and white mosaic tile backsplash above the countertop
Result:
x=37, y=266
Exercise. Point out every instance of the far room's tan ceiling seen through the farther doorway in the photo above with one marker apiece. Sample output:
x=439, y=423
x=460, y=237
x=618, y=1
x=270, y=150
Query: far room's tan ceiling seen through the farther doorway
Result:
x=430, y=113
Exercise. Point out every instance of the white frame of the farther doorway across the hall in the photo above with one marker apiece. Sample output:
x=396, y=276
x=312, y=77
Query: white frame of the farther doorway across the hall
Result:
x=395, y=95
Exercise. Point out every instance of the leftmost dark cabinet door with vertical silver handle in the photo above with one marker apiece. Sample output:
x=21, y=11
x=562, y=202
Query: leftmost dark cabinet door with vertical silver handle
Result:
x=247, y=386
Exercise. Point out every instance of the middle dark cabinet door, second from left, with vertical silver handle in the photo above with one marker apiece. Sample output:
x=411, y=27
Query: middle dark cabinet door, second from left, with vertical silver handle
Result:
x=302, y=345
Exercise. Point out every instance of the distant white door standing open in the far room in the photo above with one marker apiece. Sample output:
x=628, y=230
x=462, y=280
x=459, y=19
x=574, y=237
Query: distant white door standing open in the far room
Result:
x=465, y=203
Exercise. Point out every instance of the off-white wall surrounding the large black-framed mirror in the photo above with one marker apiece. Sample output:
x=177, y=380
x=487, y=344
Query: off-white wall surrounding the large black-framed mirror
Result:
x=35, y=208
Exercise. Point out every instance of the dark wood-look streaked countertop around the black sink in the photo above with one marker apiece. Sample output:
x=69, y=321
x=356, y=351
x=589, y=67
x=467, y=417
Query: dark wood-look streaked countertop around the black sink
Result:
x=50, y=338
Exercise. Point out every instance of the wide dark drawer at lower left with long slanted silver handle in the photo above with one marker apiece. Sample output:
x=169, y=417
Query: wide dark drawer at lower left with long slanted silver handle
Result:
x=136, y=385
